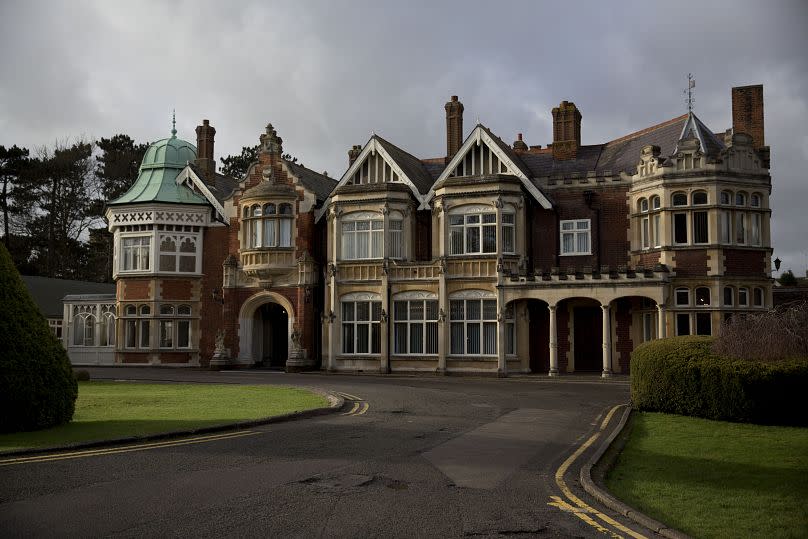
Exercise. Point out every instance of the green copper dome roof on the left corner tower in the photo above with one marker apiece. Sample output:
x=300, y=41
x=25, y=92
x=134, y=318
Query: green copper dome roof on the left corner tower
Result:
x=157, y=177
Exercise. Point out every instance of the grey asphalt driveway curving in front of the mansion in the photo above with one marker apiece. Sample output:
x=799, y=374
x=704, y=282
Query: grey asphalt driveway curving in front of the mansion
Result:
x=406, y=457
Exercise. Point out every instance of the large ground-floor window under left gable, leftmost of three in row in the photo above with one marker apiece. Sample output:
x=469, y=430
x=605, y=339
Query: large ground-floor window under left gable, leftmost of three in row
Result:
x=361, y=324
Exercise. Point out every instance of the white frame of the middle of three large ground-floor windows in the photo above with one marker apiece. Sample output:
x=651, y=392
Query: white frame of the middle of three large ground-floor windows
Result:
x=426, y=325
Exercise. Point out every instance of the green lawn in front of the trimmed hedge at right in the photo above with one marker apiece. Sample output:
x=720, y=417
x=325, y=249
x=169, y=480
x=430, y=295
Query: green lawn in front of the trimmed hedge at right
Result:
x=713, y=478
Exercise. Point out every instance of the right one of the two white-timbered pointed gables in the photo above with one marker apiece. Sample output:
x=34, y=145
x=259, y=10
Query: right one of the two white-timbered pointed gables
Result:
x=483, y=155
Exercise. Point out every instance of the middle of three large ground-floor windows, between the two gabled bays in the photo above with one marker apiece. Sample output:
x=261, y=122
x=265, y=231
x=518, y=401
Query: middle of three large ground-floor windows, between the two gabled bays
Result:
x=416, y=325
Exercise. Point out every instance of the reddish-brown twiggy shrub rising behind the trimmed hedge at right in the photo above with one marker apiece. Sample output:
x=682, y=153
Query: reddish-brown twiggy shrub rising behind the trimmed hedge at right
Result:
x=770, y=336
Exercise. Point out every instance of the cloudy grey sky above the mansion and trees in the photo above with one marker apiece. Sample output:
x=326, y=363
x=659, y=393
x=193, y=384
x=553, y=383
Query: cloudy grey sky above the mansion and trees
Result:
x=328, y=74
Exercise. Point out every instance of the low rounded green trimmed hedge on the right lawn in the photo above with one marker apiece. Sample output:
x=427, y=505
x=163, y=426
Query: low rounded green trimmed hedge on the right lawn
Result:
x=682, y=375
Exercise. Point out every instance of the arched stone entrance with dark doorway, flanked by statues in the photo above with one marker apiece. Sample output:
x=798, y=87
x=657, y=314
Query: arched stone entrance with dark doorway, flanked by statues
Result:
x=253, y=339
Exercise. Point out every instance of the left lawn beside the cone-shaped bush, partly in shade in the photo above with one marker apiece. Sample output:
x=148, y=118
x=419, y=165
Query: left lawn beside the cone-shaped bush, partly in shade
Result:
x=106, y=410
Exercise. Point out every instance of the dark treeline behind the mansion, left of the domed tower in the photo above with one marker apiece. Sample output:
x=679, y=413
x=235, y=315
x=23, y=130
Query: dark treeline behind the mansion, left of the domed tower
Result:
x=53, y=202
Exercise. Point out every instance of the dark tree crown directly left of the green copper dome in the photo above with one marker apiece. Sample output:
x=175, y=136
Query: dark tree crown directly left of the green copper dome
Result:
x=117, y=165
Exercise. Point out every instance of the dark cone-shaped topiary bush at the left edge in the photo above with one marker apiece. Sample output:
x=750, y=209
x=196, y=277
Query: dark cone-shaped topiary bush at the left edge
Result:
x=37, y=387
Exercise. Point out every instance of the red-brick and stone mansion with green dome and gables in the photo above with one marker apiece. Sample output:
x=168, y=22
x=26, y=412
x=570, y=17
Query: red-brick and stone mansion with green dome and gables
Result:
x=493, y=258
